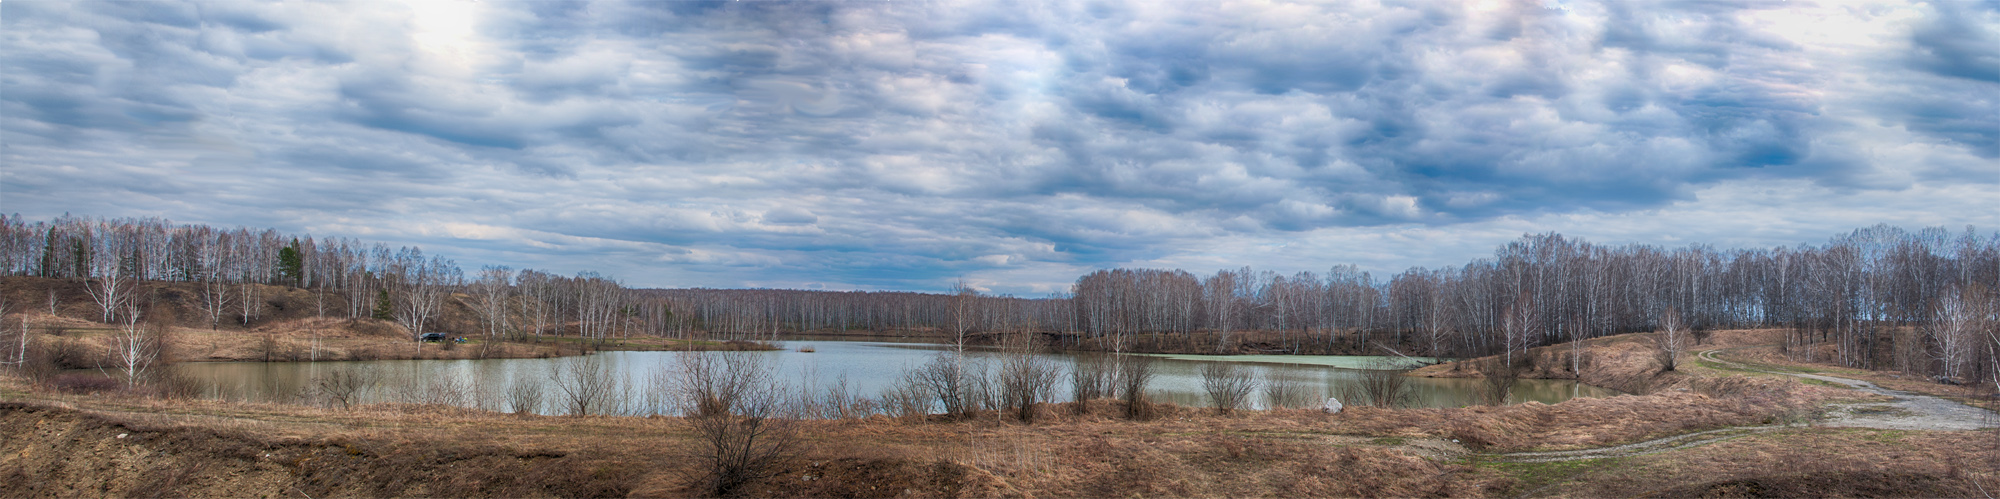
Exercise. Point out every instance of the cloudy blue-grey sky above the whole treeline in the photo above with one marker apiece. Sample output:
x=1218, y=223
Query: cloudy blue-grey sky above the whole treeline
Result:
x=1007, y=145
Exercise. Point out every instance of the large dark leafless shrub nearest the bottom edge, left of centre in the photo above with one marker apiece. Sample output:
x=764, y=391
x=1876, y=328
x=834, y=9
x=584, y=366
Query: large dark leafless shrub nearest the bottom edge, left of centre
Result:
x=737, y=412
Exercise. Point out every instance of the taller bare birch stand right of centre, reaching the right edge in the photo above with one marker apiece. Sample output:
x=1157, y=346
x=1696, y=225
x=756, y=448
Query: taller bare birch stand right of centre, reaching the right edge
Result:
x=1877, y=298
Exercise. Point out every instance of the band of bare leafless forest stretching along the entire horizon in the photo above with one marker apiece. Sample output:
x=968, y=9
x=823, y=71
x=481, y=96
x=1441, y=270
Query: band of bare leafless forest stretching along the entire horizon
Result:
x=1879, y=298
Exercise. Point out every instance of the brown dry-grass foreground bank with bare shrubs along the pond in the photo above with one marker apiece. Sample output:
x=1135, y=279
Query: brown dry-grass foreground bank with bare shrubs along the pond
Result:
x=817, y=444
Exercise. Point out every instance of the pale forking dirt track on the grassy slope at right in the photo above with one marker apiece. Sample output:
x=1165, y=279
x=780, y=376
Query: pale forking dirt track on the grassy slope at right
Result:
x=1903, y=412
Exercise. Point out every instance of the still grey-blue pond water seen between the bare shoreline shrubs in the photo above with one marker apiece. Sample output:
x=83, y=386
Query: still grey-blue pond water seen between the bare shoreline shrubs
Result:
x=867, y=368
